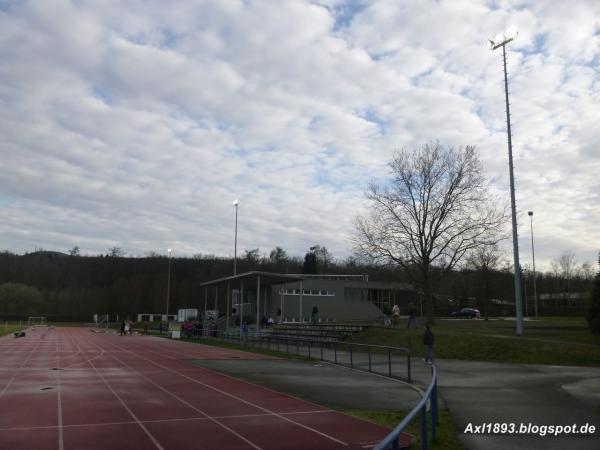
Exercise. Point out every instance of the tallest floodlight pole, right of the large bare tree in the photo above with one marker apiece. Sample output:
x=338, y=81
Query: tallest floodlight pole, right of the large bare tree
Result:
x=501, y=41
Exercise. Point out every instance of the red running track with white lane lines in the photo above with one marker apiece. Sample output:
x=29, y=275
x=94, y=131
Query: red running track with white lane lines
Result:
x=73, y=388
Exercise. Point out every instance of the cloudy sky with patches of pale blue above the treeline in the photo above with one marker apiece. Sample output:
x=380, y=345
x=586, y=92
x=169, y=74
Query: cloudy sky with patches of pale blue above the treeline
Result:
x=134, y=124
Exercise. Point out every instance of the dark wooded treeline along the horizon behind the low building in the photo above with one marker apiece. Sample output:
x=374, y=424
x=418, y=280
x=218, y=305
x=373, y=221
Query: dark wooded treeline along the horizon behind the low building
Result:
x=56, y=284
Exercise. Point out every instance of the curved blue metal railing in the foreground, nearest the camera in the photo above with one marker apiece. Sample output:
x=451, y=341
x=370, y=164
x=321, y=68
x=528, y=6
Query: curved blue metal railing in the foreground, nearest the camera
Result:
x=392, y=440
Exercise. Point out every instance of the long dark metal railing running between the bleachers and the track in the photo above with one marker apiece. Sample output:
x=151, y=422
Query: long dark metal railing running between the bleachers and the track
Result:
x=392, y=362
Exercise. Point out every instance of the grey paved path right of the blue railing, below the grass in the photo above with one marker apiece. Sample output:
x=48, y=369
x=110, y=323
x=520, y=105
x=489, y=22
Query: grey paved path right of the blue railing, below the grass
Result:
x=479, y=393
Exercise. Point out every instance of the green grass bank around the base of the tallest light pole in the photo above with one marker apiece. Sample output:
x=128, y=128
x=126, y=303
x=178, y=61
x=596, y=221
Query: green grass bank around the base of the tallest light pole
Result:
x=555, y=341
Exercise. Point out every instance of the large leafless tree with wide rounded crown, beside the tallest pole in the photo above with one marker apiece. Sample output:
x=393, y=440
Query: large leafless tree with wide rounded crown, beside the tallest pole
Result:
x=435, y=209
